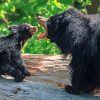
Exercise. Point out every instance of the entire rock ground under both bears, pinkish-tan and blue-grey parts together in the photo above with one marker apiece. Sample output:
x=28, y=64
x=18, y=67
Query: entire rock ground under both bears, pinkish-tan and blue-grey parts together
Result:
x=49, y=75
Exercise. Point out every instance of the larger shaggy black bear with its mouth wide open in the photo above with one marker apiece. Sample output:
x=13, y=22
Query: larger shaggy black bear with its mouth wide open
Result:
x=77, y=34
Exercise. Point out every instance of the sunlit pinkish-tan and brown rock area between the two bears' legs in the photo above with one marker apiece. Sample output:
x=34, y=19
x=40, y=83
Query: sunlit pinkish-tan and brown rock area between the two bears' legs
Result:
x=47, y=68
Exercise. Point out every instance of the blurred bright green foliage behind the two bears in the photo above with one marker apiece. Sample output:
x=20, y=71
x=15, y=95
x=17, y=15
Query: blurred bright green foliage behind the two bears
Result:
x=23, y=11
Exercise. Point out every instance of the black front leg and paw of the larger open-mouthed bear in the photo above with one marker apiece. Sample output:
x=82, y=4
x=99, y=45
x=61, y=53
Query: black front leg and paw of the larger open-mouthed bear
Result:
x=79, y=81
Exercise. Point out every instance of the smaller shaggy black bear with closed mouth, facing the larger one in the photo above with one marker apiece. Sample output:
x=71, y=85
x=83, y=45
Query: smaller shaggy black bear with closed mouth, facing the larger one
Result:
x=11, y=62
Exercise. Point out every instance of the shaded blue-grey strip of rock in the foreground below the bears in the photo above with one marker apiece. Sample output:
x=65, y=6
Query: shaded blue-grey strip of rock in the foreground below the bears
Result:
x=10, y=90
